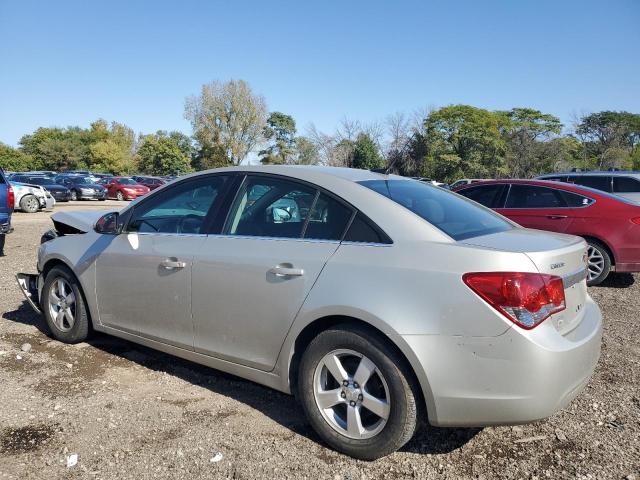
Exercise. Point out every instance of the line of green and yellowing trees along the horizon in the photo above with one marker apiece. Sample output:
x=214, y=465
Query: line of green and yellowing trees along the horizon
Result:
x=230, y=122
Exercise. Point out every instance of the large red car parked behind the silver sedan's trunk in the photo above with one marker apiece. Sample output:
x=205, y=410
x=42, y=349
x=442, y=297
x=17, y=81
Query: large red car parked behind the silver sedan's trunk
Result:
x=610, y=224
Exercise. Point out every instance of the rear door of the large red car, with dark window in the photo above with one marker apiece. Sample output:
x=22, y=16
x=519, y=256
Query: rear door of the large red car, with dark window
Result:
x=538, y=207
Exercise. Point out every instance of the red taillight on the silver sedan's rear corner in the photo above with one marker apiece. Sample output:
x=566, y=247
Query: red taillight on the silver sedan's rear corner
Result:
x=526, y=299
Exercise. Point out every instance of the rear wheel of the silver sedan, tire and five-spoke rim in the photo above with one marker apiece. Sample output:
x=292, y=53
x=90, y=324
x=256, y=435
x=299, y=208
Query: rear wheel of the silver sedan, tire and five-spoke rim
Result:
x=355, y=393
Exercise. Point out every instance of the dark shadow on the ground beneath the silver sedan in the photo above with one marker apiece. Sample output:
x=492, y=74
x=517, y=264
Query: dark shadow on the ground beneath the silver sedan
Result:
x=279, y=407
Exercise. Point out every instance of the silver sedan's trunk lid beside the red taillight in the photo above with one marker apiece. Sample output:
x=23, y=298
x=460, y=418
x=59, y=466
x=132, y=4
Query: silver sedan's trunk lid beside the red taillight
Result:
x=552, y=253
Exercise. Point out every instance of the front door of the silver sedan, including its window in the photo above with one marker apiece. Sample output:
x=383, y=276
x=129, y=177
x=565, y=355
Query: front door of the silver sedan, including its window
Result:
x=143, y=277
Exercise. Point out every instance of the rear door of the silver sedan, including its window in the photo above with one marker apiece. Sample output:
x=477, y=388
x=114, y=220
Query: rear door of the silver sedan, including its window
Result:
x=250, y=281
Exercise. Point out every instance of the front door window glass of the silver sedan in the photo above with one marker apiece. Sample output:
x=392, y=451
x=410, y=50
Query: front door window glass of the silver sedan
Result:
x=182, y=209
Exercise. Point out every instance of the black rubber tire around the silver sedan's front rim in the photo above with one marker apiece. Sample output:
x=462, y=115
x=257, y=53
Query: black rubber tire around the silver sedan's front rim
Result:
x=82, y=325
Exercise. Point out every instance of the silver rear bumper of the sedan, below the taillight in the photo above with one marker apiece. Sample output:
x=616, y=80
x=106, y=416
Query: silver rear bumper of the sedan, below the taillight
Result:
x=517, y=377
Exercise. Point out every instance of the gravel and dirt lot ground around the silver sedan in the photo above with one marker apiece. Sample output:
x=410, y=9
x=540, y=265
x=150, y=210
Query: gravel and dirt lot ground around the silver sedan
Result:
x=129, y=412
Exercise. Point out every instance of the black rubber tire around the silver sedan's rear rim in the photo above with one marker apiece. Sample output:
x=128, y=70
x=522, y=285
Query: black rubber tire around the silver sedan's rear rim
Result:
x=403, y=393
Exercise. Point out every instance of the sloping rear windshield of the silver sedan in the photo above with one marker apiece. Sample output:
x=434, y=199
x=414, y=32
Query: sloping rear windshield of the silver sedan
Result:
x=456, y=216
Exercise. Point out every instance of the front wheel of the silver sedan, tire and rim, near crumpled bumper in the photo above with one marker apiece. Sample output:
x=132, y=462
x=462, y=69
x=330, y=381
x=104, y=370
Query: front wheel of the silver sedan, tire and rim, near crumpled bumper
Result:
x=64, y=307
